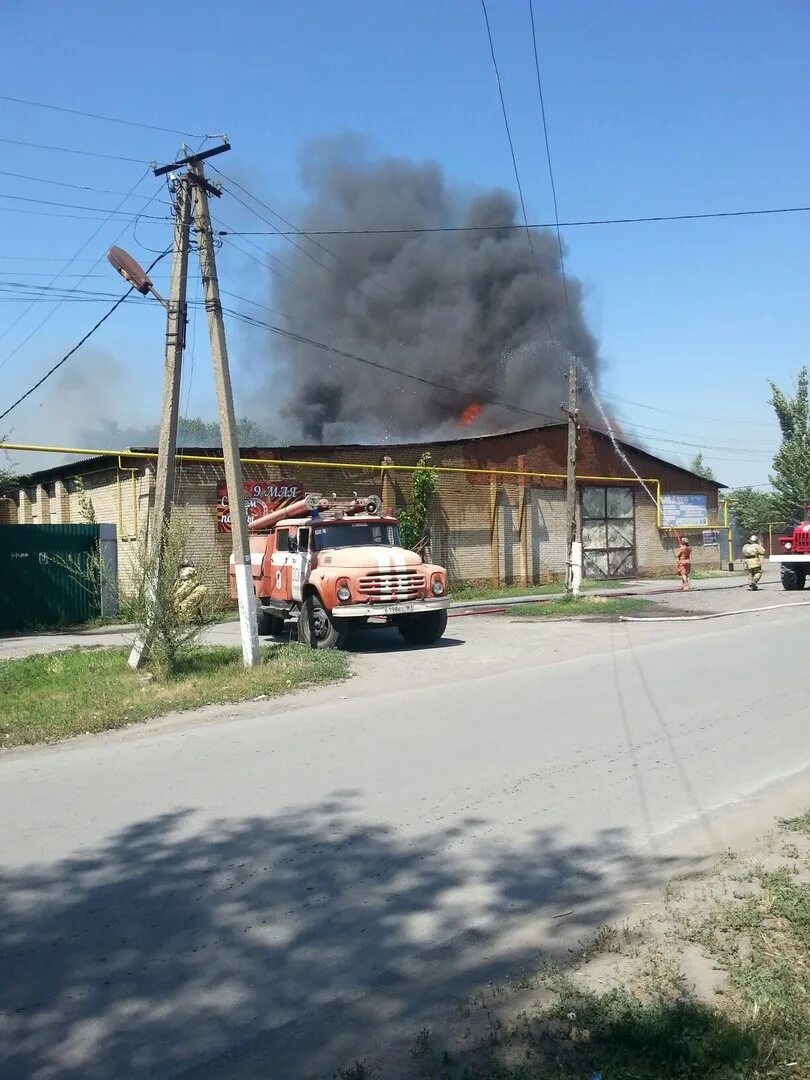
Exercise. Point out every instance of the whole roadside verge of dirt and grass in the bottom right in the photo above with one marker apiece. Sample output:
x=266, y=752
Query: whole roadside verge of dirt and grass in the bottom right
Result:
x=708, y=984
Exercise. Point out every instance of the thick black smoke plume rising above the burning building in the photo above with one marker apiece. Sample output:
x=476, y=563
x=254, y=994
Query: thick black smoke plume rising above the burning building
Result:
x=470, y=310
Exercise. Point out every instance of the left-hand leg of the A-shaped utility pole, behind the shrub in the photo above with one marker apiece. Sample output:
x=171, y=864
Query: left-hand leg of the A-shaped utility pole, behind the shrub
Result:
x=171, y=403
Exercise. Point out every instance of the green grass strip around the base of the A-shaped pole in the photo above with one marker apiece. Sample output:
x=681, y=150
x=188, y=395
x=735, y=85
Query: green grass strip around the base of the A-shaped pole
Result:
x=59, y=695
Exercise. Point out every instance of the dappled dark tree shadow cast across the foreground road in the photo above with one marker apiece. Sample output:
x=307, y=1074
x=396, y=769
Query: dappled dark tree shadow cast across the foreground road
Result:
x=289, y=938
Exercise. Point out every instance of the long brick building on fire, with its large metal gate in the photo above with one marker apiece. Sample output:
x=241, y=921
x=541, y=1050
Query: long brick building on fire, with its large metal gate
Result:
x=498, y=515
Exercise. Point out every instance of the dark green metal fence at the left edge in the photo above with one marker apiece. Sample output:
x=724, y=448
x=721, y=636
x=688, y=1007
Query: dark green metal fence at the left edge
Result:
x=49, y=576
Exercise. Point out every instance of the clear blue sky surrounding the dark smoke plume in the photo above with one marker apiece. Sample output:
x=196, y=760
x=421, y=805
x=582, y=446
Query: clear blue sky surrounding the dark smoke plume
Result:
x=654, y=109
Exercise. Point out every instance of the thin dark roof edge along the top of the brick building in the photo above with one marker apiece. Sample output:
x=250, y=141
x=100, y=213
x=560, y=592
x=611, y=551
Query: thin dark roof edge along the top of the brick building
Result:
x=102, y=462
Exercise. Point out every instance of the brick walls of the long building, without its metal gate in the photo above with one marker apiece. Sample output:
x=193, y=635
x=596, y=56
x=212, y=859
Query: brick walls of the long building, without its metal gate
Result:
x=481, y=526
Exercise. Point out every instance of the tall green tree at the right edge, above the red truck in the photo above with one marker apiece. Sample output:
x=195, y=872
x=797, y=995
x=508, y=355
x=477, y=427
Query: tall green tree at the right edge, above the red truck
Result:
x=791, y=471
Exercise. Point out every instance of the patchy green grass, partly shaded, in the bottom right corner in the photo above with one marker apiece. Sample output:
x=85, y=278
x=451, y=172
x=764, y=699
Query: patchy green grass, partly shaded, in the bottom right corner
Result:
x=758, y=1030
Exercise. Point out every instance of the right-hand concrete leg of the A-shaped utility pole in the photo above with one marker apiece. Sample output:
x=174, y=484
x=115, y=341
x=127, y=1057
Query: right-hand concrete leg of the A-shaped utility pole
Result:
x=242, y=565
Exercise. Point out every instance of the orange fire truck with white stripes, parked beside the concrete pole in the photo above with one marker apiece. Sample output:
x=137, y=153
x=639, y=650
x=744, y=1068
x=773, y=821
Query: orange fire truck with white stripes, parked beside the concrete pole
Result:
x=333, y=565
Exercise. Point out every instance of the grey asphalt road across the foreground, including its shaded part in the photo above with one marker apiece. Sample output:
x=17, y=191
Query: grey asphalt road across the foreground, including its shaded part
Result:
x=272, y=892
